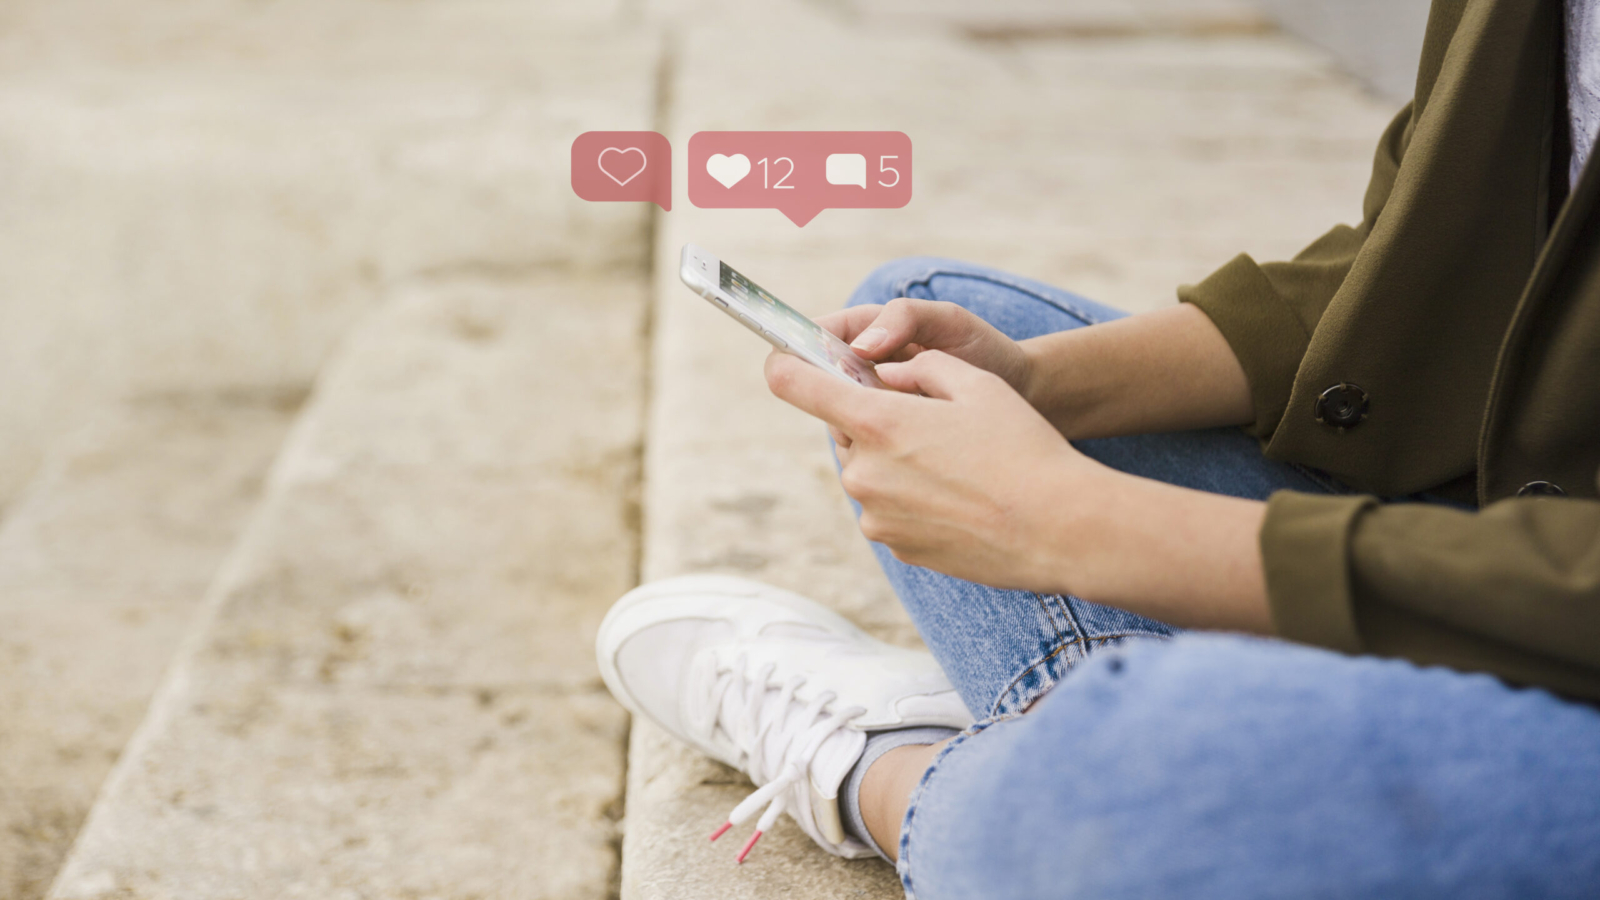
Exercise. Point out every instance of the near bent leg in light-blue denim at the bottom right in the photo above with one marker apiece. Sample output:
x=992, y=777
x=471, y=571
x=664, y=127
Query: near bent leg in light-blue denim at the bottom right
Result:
x=1226, y=766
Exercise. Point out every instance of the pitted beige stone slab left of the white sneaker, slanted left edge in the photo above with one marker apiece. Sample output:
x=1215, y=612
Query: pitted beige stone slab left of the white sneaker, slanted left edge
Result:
x=393, y=693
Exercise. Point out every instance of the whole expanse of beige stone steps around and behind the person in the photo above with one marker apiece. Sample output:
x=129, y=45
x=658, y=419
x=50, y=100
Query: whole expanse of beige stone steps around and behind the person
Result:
x=385, y=688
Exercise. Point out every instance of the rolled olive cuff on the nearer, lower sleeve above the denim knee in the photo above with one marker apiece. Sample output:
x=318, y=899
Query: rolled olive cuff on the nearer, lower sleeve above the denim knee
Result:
x=1306, y=555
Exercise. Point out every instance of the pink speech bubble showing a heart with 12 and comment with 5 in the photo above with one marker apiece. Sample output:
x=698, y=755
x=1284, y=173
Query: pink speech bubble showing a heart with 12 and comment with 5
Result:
x=799, y=174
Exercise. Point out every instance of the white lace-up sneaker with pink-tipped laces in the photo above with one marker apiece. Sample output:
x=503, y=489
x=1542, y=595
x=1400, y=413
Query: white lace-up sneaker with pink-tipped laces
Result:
x=772, y=685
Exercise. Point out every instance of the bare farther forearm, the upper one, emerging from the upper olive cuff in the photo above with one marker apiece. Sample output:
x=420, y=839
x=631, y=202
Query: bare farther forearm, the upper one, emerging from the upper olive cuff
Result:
x=1167, y=371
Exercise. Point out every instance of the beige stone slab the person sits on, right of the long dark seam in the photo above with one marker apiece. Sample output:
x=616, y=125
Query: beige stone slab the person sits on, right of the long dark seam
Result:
x=1119, y=167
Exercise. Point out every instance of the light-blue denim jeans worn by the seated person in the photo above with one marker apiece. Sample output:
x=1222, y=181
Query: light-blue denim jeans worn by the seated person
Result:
x=1209, y=766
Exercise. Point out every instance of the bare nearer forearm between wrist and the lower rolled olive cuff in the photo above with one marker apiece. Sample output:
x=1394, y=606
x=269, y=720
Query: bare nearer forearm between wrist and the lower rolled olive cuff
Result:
x=1175, y=555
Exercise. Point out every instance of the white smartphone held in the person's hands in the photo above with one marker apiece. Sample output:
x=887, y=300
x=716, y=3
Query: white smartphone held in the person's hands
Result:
x=770, y=318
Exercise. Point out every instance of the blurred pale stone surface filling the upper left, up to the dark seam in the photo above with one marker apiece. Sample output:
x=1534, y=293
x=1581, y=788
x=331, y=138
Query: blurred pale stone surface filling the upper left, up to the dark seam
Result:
x=209, y=195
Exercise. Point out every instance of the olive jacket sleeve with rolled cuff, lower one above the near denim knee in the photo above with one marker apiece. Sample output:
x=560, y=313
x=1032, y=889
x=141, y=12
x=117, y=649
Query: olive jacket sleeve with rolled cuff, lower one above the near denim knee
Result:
x=1513, y=590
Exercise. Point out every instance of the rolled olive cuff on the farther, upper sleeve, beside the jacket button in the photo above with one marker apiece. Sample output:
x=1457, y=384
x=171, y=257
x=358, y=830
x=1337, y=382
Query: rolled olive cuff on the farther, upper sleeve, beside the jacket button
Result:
x=1262, y=331
